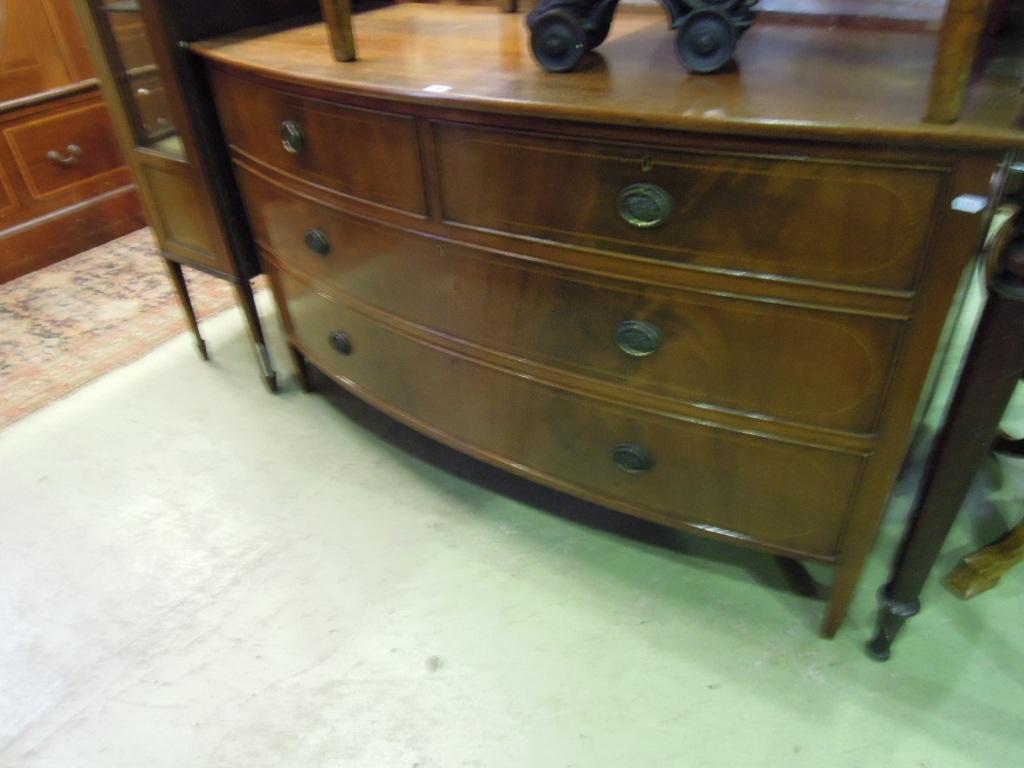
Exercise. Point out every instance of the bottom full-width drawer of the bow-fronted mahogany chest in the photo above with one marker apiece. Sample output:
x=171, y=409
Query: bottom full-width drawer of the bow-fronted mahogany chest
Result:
x=787, y=496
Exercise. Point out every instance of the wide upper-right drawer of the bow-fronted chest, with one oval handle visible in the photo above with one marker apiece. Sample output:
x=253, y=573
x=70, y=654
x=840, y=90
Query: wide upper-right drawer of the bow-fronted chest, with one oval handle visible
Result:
x=818, y=221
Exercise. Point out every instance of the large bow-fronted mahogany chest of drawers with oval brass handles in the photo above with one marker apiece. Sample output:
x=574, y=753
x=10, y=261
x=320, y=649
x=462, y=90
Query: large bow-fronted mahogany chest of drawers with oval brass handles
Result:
x=722, y=330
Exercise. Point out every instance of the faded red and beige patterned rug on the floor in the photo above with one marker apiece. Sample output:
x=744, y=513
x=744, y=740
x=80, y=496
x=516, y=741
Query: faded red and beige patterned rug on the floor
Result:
x=69, y=324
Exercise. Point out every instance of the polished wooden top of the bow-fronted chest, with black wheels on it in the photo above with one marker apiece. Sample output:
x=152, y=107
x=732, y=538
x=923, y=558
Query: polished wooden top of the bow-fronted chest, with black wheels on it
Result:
x=841, y=84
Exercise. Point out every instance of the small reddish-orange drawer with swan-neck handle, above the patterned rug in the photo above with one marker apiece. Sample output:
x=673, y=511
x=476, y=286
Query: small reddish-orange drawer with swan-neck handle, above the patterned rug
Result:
x=87, y=152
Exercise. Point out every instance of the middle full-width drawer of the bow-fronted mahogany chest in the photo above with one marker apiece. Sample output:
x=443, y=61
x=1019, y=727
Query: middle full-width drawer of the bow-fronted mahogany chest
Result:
x=809, y=366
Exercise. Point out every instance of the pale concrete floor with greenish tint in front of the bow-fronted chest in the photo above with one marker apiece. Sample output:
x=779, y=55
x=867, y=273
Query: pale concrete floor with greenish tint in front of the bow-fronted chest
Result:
x=195, y=573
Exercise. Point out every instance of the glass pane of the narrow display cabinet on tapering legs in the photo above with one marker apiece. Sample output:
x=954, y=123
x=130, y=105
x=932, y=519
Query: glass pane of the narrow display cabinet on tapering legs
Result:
x=141, y=78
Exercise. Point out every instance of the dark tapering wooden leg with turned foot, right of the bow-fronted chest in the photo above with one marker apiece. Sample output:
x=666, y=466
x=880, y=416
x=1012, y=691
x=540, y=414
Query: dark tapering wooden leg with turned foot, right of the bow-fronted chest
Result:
x=994, y=366
